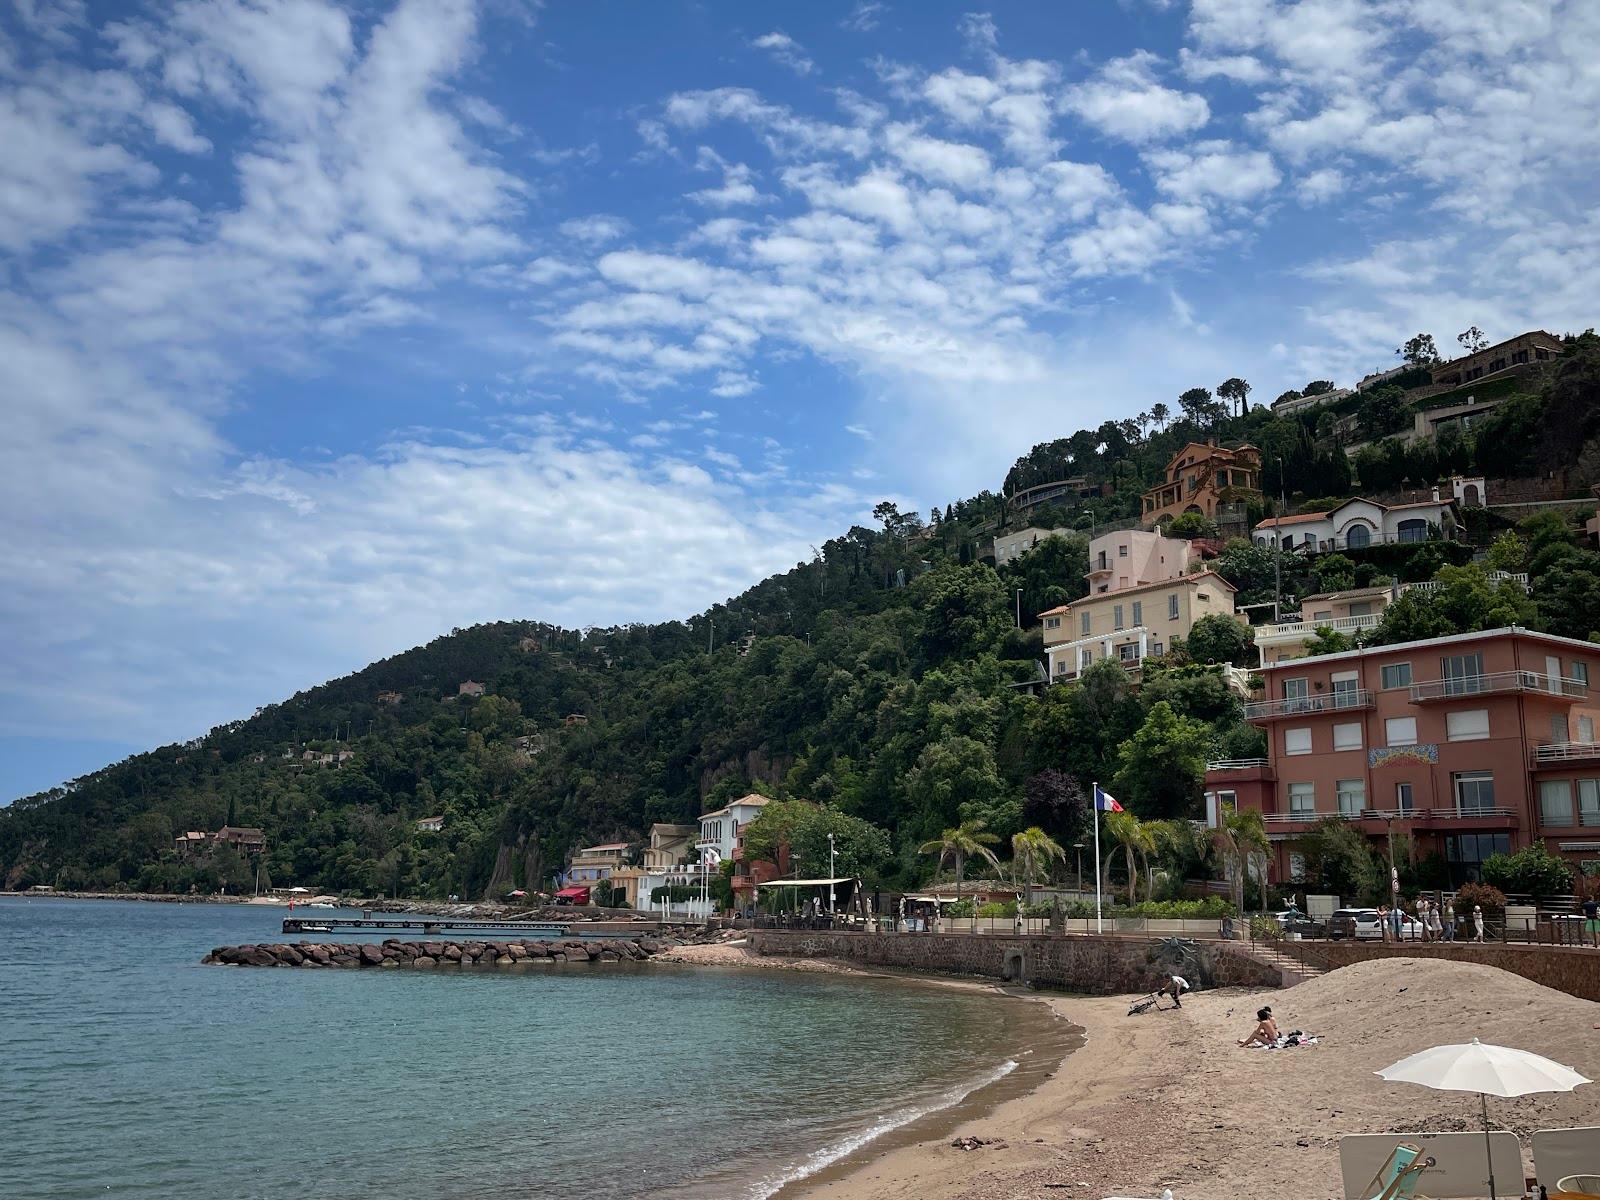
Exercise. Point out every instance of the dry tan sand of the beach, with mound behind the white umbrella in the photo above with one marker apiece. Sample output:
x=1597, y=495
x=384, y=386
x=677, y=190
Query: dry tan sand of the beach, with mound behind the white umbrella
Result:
x=1169, y=1100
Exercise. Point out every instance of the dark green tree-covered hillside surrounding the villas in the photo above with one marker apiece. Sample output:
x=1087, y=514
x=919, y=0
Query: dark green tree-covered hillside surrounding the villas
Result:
x=881, y=678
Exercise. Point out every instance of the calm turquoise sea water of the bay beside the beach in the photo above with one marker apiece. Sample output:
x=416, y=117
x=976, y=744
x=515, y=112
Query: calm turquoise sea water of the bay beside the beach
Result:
x=127, y=1070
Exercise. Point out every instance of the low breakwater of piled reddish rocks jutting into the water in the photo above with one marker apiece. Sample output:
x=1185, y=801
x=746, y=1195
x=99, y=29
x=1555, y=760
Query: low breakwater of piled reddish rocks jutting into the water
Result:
x=498, y=953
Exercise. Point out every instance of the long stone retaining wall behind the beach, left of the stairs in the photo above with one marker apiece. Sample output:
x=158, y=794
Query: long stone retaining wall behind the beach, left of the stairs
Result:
x=1102, y=966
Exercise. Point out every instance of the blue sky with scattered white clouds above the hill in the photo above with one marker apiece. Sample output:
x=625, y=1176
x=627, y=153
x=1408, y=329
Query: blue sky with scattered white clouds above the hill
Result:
x=329, y=329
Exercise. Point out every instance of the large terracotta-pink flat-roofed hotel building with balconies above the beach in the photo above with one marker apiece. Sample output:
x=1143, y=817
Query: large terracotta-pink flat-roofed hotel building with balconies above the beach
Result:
x=1473, y=745
